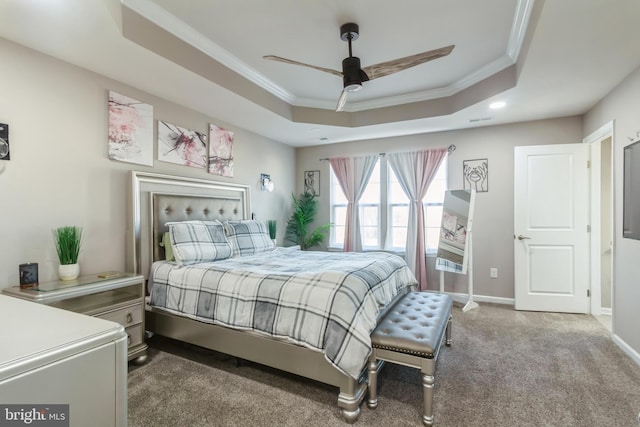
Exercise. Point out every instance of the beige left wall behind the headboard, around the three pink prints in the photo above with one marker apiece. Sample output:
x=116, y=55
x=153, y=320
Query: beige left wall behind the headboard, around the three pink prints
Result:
x=59, y=173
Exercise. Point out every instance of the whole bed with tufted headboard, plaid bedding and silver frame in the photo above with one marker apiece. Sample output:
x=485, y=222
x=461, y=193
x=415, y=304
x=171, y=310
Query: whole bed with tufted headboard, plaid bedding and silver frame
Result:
x=193, y=295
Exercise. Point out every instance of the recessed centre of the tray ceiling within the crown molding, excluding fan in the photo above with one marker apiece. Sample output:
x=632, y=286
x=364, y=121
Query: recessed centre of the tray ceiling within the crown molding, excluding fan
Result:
x=285, y=28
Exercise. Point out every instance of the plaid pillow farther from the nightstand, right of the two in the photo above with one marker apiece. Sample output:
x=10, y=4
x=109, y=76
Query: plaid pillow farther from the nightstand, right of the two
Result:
x=248, y=237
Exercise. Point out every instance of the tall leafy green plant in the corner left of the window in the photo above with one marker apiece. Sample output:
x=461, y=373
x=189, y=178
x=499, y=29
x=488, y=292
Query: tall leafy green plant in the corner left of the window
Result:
x=305, y=208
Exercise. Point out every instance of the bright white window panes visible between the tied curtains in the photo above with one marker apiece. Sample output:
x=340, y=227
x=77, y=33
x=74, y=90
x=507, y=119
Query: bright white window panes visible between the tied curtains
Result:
x=384, y=211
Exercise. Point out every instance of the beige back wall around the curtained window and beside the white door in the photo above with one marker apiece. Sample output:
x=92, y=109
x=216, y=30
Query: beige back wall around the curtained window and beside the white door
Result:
x=493, y=216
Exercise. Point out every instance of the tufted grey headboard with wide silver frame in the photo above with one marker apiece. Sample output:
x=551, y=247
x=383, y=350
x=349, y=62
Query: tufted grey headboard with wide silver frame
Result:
x=157, y=199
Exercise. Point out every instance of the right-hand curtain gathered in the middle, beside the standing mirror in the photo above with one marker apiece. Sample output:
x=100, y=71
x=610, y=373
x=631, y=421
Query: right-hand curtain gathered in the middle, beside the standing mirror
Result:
x=415, y=171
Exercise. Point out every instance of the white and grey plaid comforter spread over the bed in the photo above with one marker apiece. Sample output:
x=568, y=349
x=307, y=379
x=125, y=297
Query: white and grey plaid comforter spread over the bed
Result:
x=321, y=300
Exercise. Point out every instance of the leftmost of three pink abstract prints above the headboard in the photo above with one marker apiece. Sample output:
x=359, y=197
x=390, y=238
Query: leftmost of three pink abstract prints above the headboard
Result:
x=130, y=130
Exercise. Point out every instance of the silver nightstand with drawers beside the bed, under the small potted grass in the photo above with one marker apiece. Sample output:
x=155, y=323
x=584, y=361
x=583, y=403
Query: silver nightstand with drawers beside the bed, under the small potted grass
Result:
x=119, y=299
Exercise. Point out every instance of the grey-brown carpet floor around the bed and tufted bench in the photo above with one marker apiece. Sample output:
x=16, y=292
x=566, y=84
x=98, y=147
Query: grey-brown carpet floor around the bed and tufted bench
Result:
x=505, y=368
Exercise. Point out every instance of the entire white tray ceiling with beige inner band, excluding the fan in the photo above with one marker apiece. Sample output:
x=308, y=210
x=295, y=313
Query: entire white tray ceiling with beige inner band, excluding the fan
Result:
x=568, y=54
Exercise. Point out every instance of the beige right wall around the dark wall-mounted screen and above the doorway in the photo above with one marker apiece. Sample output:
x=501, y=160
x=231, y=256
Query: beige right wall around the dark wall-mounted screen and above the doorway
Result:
x=621, y=106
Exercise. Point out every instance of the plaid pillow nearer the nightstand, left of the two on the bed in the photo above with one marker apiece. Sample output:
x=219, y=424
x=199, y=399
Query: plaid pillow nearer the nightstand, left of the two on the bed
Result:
x=198, y=241
